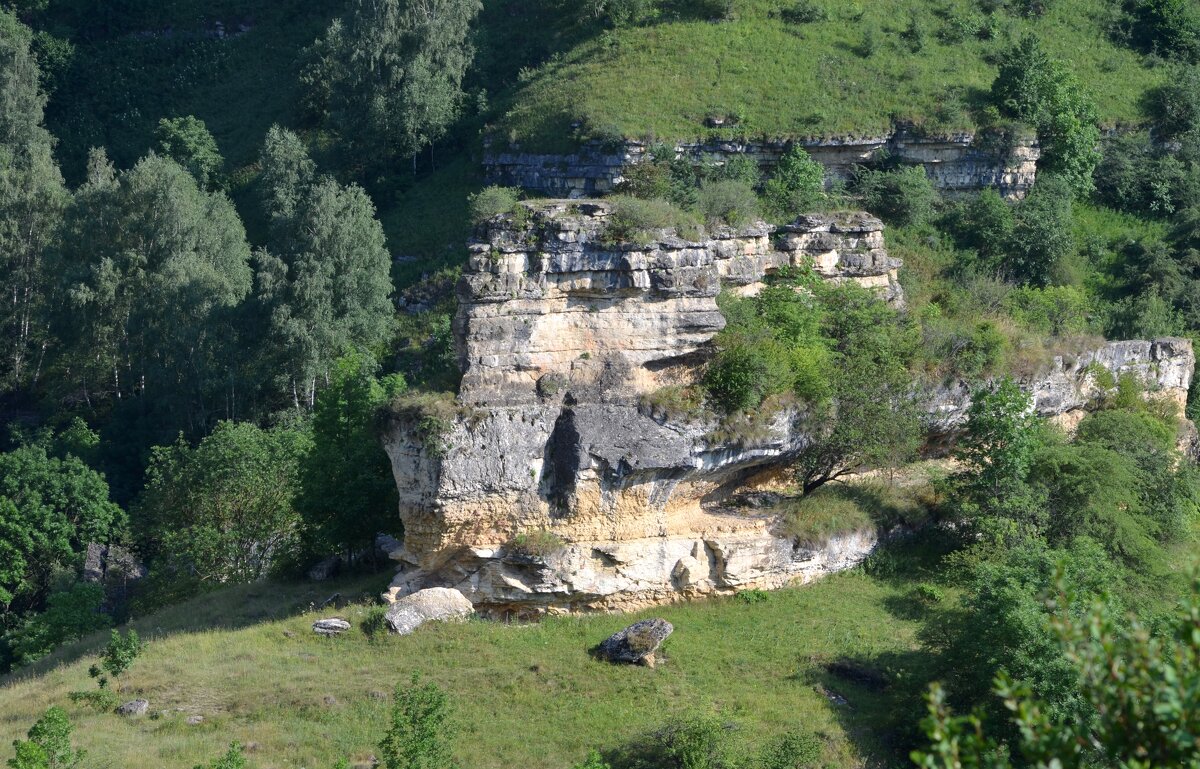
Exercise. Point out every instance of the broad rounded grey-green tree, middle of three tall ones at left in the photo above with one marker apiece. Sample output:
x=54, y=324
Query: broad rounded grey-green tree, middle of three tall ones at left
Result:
x=152, y=269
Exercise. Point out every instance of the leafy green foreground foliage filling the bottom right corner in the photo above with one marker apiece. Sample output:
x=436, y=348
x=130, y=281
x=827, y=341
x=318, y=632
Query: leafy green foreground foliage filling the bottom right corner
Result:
x=1143, y=688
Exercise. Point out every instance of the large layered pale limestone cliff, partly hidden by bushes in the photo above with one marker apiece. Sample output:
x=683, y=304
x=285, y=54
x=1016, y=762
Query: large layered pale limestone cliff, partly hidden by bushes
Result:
x=561, y=338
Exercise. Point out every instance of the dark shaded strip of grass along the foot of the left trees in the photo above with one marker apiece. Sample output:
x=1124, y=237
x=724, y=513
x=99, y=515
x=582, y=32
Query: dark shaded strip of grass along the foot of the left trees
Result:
x=229, y=609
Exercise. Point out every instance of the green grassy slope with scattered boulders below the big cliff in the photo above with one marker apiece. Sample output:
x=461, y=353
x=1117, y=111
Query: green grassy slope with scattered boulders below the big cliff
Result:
x=525, y=695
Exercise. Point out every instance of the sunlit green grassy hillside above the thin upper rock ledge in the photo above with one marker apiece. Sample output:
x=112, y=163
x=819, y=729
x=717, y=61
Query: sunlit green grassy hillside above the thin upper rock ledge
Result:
x=787, y=80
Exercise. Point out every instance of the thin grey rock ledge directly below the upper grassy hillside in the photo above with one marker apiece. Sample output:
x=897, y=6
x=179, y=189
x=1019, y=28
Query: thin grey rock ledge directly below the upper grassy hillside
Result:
x=958, y=163
